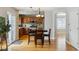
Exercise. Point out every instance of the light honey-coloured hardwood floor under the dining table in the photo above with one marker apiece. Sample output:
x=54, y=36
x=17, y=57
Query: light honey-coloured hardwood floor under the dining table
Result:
x=31, y=47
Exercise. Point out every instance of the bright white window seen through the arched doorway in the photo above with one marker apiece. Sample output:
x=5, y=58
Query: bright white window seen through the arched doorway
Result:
x=61, y=21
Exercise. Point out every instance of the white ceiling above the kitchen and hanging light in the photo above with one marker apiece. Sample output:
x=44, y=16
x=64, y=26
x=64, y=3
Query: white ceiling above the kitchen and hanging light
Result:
x=32, y=10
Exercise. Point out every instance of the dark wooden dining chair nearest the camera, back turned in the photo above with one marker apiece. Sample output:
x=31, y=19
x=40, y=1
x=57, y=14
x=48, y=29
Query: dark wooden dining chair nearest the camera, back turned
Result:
x=39, y=35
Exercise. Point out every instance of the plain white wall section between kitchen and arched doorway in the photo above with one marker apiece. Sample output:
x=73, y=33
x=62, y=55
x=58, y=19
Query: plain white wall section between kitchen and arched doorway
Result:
x=48, y=22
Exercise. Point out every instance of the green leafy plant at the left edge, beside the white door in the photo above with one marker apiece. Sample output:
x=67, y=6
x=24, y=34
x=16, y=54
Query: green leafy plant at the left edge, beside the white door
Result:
x=4, y=28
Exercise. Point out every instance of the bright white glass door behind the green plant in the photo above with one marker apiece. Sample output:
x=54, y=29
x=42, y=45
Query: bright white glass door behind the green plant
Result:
x=12, y=32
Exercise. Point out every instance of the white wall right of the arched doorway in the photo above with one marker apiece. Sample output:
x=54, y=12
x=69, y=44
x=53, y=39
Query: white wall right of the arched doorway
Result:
x=73, y=27
